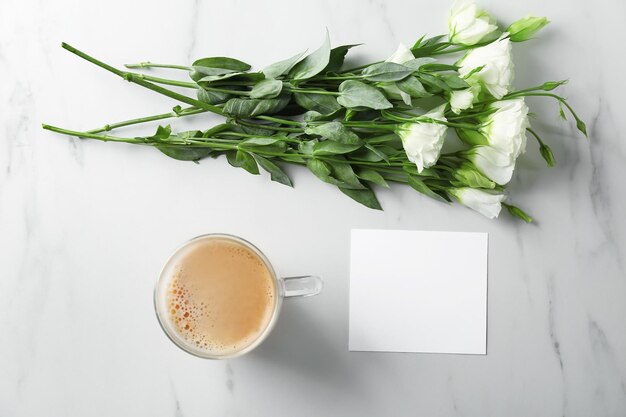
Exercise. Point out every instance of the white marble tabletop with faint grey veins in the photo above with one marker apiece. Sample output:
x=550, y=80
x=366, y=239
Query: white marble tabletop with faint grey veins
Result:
x=85, y=226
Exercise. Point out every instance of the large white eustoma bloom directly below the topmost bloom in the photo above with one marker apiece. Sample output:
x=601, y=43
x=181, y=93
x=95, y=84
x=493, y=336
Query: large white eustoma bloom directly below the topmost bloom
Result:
x=497, y=67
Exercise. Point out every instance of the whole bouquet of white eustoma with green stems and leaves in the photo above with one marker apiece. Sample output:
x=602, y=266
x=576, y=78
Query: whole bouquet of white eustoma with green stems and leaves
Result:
x=367, y=126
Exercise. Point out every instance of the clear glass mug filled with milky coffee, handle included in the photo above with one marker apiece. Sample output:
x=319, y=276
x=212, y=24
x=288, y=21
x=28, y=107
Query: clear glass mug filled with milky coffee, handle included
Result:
x=218, y=296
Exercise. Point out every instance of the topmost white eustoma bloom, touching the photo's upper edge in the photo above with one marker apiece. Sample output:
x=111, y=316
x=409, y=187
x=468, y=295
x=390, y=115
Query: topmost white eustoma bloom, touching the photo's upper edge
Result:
x=468, y=24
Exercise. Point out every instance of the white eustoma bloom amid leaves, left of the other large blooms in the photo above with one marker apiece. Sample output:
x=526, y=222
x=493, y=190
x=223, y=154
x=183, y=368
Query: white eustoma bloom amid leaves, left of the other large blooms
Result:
x=422, y=141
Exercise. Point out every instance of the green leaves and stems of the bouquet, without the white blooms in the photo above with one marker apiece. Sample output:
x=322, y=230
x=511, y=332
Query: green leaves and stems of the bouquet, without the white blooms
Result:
x=309, y=110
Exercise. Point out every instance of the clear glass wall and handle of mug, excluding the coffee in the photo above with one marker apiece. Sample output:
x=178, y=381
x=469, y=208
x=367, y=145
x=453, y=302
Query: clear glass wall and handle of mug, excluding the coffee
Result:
x=300, y=286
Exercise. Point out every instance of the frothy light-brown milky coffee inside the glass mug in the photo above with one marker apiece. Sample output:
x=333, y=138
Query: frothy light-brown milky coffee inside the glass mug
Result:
x=220, y=297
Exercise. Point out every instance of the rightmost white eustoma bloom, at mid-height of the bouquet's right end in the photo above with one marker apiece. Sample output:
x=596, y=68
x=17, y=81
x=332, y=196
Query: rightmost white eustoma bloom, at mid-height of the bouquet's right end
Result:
x=505, y=128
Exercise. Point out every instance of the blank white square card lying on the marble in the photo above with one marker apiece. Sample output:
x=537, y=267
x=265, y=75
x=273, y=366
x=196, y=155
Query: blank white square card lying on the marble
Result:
x=413, y=291
